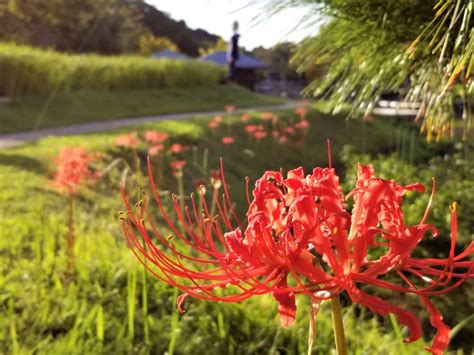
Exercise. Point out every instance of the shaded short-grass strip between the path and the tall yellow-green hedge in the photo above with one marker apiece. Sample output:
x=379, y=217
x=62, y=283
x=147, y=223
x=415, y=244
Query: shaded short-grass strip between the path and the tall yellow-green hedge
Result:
x=62, y=109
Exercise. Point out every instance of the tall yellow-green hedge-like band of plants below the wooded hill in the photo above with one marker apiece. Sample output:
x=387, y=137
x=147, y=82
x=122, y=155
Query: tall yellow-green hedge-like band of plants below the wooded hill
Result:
x=28, y=71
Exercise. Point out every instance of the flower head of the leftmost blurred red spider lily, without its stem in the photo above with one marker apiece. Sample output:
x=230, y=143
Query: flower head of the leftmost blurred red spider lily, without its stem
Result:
x=73, y=169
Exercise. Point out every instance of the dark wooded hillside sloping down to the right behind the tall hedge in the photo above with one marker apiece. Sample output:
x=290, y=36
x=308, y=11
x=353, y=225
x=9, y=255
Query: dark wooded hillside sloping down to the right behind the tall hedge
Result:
x=106, y=26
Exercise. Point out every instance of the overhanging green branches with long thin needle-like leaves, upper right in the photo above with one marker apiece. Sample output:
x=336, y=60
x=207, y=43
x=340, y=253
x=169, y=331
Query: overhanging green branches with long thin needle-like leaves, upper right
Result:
x=372, y=46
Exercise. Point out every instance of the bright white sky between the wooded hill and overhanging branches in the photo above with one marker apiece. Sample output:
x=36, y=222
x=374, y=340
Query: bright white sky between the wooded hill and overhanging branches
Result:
x=217, y=16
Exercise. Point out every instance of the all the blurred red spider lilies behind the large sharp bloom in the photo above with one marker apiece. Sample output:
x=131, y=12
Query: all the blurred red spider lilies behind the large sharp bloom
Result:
x=74, y=163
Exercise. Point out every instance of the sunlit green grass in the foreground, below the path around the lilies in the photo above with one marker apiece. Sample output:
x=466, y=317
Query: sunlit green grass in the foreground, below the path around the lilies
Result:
x=98, y=311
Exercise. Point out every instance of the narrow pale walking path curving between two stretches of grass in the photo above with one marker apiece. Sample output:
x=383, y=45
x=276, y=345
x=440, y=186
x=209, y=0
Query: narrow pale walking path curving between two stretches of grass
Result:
x=15, y=139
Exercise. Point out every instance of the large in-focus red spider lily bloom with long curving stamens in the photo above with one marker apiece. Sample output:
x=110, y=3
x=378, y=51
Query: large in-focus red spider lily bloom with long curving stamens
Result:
x=299, y=239
